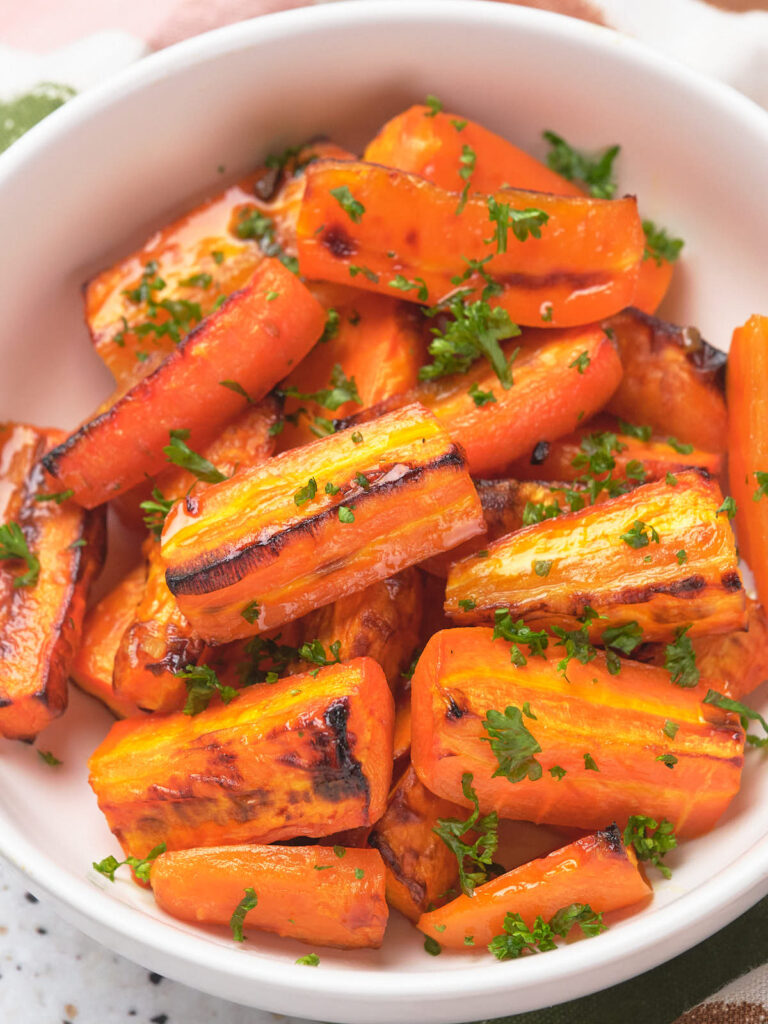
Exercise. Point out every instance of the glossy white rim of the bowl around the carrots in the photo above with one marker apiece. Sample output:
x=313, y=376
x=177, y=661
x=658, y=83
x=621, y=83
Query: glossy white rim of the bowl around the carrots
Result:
x=656, y=935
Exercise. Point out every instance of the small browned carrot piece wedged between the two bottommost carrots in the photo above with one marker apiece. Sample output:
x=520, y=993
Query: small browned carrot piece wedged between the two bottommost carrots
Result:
x=420, y=869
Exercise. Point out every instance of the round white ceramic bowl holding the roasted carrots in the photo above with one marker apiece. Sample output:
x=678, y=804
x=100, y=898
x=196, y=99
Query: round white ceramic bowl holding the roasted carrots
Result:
x=101, y=174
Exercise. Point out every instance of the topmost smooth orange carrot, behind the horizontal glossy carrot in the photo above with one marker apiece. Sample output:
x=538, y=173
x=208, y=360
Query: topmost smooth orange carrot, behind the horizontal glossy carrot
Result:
x=431, y=144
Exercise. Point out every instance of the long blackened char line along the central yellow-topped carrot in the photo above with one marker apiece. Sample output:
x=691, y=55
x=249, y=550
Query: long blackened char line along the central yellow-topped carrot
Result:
x=204, y=578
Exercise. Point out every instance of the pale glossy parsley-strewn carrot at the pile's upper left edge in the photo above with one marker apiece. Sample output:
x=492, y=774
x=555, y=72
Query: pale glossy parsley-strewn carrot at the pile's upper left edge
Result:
x=141, y=308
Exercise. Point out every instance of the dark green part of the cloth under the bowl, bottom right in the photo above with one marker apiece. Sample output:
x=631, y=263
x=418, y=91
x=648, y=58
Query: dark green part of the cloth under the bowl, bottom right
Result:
x=661, y=996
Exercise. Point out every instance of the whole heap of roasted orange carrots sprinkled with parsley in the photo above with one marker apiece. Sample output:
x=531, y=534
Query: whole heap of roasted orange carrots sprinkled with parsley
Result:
x=437, y=604
